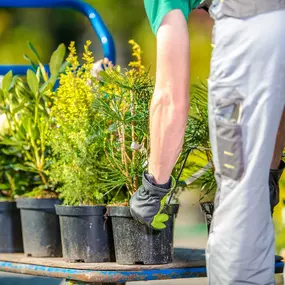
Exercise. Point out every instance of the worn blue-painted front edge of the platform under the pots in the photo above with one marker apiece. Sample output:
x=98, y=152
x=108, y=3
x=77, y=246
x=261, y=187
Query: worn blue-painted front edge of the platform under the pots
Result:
x=93, y=276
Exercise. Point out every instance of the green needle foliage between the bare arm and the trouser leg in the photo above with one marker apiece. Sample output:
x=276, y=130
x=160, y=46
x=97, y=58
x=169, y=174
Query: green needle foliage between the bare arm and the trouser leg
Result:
x=197, y=148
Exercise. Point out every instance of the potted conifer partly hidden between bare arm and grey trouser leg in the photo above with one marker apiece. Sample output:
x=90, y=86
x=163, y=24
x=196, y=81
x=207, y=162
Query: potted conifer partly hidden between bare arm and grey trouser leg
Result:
x=199, y=169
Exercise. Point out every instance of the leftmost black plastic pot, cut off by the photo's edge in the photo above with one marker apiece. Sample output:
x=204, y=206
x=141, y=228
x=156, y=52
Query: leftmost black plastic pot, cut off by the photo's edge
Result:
x=11, y=240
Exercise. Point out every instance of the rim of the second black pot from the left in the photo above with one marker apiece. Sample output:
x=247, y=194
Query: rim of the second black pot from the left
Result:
x=35, y=203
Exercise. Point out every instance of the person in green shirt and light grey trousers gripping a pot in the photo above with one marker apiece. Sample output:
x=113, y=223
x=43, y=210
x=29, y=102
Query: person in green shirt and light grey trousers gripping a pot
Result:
x=246, y=122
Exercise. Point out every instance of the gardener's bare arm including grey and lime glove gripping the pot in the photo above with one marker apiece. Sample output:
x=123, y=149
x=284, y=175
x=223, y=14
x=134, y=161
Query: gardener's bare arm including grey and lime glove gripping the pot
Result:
x=168, y=116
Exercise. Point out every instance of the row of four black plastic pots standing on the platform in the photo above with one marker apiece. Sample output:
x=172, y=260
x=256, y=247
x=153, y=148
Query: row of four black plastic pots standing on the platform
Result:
x=82, y=233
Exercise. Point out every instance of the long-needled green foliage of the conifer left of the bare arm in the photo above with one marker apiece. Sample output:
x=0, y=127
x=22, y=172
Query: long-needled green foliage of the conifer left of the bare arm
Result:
x=122, y=107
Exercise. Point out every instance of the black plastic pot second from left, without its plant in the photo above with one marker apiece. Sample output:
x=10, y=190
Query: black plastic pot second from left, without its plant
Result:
x=40, y=227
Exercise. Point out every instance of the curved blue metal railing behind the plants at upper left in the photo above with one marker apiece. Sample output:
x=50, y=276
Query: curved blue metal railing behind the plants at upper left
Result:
x=78, y=5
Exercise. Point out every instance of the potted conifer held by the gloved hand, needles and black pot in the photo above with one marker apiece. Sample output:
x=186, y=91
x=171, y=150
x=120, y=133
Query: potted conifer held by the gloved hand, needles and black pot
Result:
x=122, y=106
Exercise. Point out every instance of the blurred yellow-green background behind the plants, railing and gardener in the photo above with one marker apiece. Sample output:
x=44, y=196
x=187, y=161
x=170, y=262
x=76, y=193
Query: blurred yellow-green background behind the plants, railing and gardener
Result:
x=126, y=19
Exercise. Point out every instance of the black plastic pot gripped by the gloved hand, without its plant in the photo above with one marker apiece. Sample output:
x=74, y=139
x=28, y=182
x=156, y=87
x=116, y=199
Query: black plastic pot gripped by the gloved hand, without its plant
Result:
x=137, y=244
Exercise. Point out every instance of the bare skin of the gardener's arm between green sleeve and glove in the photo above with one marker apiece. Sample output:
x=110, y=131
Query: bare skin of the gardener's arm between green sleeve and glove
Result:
x=170, y=104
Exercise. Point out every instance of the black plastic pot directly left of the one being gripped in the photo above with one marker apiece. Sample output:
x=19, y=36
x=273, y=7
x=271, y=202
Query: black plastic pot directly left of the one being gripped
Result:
x=86, y=234
